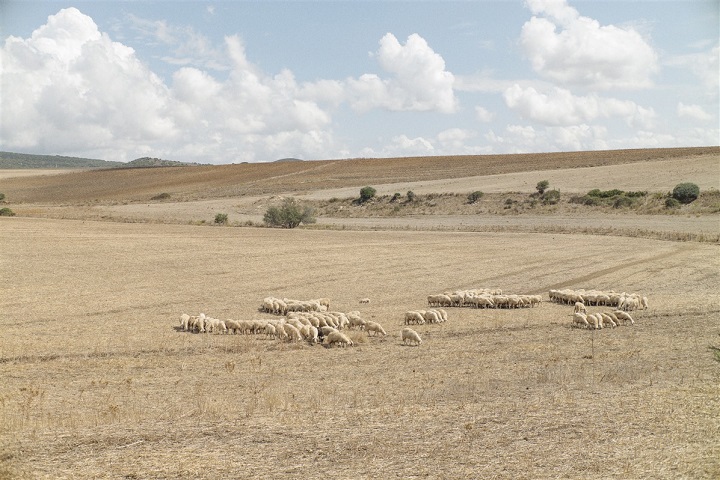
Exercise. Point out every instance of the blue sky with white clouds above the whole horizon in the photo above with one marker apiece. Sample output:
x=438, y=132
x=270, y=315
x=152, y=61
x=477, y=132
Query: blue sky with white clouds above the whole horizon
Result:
x=249, y=81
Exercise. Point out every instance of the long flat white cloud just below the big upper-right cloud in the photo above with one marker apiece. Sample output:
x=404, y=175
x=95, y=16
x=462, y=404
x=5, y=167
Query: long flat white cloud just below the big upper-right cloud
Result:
x=561, y=107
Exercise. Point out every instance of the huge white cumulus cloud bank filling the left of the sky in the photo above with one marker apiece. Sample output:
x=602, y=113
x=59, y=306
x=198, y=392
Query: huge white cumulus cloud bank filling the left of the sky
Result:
x=70, y=88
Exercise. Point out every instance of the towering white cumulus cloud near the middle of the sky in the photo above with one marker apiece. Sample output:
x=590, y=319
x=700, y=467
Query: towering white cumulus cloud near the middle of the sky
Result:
x=418, y=80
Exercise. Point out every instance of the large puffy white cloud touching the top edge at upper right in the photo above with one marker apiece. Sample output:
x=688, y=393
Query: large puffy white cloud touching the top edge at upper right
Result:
x=571, y=49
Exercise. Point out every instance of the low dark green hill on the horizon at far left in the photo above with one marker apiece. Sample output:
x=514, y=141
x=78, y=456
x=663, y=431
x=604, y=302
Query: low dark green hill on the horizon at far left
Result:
x=24, y=160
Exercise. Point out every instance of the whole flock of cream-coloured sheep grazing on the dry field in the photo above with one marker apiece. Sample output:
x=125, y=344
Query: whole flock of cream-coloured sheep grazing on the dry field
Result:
x=311, y=320
